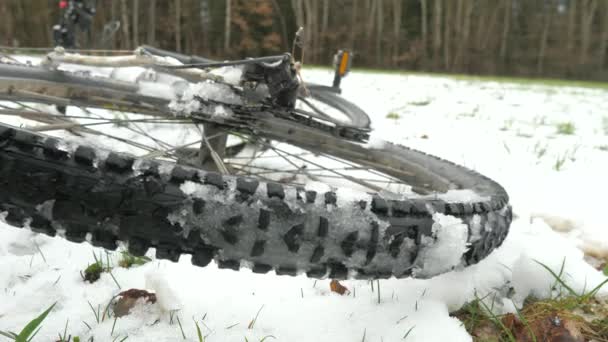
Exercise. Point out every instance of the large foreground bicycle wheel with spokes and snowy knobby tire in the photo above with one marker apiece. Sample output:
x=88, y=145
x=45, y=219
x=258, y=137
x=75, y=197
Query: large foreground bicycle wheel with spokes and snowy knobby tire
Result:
x=255, y=216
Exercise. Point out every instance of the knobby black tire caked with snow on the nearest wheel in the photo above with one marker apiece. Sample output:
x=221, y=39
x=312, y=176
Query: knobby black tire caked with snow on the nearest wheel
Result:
x=89, y=194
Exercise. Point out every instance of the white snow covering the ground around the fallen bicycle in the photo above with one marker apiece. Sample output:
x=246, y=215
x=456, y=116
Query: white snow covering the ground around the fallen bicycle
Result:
x=508, y=132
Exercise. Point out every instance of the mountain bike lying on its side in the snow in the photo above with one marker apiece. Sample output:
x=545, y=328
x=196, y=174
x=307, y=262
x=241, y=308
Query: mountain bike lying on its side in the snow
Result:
x=254, y=198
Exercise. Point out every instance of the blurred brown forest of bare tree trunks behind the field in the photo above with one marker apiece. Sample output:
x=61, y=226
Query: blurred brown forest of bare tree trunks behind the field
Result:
x=544, y=38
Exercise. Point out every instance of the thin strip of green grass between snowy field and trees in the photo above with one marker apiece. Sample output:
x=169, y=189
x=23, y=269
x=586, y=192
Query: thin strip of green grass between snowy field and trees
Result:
x=523, y=81
